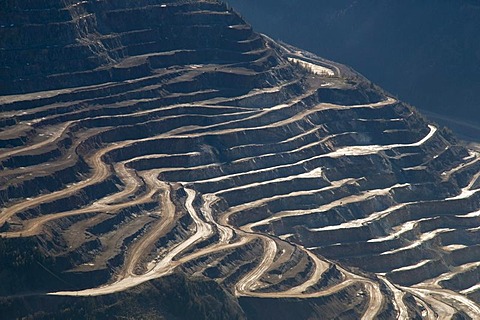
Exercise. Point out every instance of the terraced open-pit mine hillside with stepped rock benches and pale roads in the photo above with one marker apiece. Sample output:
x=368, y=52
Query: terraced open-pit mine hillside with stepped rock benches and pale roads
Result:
x=143, y=138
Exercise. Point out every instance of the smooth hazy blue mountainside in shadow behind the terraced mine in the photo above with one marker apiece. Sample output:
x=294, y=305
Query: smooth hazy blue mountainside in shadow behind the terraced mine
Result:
x=426, y=52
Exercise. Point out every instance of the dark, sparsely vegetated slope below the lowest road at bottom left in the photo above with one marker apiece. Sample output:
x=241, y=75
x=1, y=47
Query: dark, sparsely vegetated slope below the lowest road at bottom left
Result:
x=172, y=297
